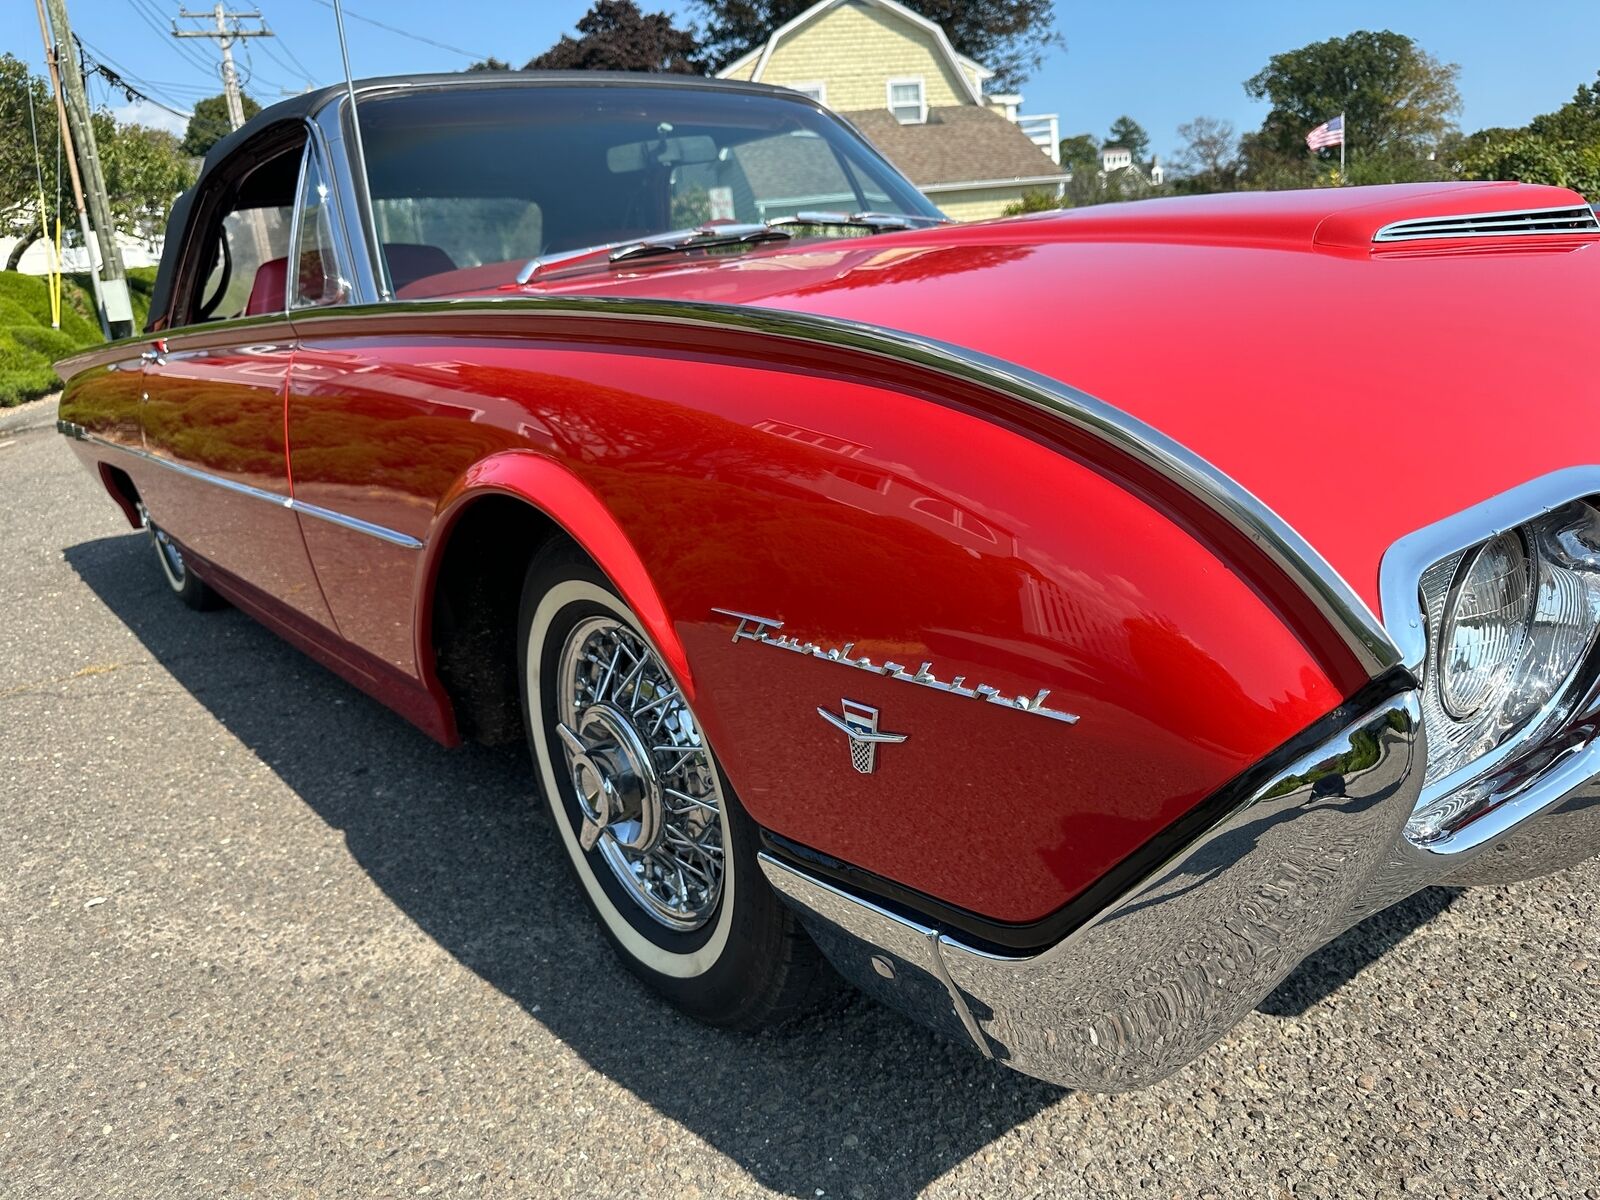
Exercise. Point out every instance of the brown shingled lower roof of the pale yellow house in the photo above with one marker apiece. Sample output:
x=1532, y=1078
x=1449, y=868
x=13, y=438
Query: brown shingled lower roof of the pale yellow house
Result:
x=958, y=145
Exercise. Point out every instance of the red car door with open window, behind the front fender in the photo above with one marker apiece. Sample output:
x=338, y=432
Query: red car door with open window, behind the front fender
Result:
x=217, y=386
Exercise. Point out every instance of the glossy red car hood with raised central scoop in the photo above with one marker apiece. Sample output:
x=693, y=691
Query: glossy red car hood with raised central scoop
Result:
x=1359, y=390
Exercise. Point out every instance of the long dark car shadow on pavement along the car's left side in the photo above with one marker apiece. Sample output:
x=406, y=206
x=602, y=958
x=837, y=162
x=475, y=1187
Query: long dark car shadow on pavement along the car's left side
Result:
x=852, y=1098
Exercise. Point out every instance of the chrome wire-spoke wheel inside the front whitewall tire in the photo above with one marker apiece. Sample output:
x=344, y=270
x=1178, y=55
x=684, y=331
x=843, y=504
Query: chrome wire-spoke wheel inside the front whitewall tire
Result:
x=649, y=796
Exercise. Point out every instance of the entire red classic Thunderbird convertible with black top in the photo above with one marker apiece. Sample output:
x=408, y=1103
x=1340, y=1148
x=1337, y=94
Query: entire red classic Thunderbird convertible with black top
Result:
x=1062, y=625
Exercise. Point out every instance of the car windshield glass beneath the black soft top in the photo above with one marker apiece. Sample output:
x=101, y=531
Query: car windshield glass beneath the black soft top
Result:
x=471, y=177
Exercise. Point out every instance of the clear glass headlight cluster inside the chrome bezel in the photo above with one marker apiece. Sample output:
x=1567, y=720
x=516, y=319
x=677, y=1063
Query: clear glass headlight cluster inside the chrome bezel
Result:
x=1511, y=626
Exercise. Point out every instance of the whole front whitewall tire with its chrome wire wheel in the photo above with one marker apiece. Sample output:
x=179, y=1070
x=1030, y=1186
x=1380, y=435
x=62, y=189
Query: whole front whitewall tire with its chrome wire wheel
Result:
x=662, y=850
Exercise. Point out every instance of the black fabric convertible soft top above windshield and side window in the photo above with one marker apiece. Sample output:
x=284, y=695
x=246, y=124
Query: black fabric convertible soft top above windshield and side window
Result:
x=308, y=103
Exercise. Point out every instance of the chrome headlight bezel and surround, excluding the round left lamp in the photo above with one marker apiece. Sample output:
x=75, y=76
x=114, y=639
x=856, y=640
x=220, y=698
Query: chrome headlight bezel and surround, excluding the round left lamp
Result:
x=1470, y=761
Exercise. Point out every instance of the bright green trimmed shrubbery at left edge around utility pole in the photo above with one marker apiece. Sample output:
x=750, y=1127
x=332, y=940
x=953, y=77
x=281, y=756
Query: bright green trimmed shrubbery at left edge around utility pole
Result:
x=28, y=343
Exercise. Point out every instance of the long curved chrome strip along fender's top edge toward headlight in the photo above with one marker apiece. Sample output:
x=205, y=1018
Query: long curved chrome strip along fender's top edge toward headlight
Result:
x=1314, y=577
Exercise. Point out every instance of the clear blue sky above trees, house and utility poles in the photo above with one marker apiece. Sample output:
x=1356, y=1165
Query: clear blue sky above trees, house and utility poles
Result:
x=1162, y=62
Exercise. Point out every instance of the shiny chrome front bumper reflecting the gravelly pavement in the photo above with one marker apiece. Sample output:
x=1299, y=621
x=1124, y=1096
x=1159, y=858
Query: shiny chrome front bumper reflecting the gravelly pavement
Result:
x=1166, y=970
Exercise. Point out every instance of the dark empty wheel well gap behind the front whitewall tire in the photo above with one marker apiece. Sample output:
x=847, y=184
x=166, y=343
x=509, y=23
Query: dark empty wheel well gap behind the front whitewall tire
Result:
x=476, y=601
